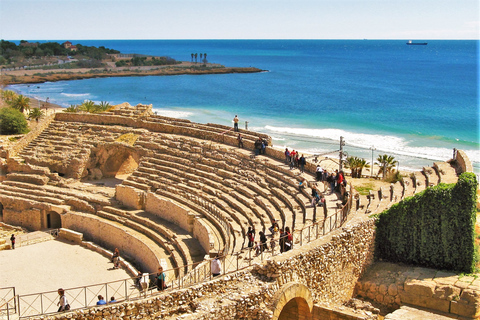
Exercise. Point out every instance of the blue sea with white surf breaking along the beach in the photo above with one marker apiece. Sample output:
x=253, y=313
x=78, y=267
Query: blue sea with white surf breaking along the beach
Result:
x=416, y=103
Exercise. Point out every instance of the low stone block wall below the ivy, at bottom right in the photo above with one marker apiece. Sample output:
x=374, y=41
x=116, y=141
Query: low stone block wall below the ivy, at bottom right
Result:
x=395, y=285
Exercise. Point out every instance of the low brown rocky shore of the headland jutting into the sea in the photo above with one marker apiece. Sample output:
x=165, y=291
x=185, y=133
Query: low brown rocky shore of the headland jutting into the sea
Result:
x=40, y=76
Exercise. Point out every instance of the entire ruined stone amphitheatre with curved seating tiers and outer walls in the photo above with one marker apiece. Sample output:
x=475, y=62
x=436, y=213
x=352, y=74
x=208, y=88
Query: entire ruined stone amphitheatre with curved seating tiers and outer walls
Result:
x=173, y=193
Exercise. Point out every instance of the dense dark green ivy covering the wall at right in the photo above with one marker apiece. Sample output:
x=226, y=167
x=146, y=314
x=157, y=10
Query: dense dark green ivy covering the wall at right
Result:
x=435, y=228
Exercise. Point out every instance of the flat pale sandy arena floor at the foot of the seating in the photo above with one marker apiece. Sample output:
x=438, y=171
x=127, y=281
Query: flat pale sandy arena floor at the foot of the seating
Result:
x=54, y=264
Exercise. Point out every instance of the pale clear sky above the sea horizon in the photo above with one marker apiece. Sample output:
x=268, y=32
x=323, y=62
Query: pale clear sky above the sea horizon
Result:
x=235, y=19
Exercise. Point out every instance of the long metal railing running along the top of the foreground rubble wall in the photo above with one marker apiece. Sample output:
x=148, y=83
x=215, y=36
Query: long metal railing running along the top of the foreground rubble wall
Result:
x=129, y=289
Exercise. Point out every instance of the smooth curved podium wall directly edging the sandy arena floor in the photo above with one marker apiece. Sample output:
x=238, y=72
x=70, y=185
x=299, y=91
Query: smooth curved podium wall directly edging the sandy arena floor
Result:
x=110, y=236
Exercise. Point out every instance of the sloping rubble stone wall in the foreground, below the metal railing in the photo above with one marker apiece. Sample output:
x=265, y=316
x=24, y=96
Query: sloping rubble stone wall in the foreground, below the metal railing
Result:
x=329, y=267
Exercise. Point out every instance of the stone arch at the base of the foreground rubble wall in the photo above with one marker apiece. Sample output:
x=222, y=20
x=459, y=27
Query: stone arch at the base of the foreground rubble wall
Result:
x=293, y=301
